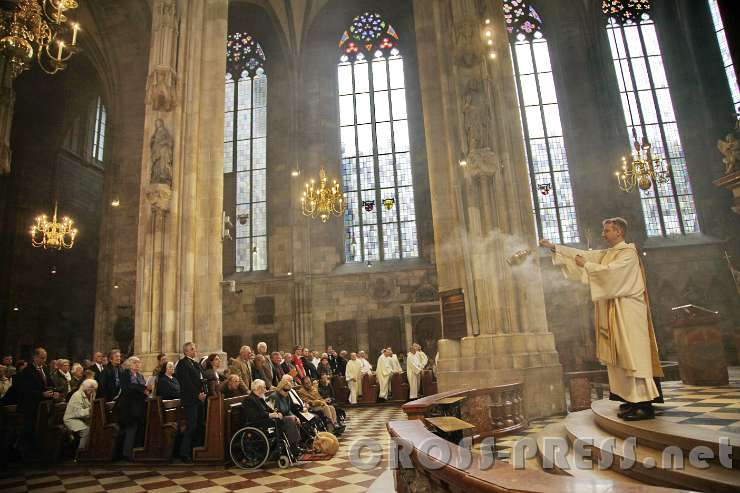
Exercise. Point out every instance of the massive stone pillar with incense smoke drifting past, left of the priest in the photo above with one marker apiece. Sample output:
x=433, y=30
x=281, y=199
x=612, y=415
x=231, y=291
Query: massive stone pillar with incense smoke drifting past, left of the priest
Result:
x=482, y=210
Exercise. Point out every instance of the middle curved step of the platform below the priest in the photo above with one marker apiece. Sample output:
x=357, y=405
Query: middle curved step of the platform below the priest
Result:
x=648, y=467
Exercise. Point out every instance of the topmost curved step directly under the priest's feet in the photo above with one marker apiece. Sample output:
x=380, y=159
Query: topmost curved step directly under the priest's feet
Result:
x=659, y=433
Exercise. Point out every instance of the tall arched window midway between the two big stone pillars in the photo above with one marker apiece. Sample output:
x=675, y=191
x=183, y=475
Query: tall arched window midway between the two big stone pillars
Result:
x=380, y=220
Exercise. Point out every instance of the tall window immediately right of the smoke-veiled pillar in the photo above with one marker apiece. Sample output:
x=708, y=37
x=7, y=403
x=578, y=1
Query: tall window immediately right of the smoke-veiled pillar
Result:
x=543, y=134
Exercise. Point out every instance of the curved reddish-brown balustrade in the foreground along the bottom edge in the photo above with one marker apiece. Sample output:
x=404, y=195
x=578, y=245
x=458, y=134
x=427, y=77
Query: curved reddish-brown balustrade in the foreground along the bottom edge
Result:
x=430, y=470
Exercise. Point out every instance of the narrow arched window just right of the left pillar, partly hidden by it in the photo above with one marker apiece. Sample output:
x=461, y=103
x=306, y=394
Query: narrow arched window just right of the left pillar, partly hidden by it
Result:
x=245, y=148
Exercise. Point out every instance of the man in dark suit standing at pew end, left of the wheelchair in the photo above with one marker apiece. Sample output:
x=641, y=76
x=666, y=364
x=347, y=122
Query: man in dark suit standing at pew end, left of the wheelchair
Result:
x=190, y=375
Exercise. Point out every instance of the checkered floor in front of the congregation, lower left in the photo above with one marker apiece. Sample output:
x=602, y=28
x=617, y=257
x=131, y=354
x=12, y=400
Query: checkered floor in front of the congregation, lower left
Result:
x=337, y=475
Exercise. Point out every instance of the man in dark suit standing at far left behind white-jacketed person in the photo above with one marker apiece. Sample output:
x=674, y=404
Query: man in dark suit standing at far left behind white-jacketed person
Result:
x=34, y=386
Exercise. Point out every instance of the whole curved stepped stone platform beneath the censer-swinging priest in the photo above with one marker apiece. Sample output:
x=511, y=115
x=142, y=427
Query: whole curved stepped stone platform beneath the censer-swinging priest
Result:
x=601, y=432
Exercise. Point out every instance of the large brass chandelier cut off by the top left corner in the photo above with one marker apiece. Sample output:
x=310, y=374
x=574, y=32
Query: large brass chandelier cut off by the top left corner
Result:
x=36, y=28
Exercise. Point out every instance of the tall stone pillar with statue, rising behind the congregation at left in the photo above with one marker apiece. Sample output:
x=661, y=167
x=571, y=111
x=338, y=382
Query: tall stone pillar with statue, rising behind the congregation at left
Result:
x=179, y=269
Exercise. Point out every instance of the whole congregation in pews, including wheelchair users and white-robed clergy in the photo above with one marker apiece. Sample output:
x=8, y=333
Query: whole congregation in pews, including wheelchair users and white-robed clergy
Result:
x=194, y=409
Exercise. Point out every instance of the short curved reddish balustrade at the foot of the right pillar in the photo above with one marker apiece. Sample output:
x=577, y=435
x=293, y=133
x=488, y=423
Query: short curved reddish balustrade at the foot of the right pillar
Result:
x=495, y=411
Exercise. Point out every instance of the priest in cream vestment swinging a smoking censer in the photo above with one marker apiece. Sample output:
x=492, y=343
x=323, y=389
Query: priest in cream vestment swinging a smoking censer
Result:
x=625, y=340
